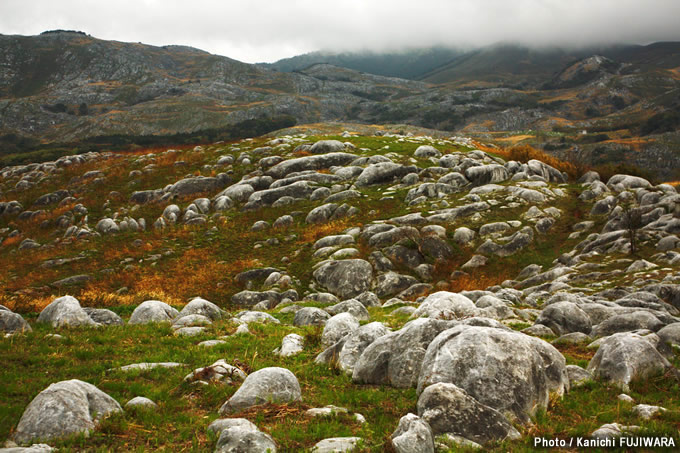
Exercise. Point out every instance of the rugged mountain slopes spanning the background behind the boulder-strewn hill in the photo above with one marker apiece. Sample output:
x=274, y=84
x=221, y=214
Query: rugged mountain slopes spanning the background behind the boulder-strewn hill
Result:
x=70, y=87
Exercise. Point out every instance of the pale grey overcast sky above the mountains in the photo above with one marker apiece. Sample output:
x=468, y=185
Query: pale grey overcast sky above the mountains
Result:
x=268, y=30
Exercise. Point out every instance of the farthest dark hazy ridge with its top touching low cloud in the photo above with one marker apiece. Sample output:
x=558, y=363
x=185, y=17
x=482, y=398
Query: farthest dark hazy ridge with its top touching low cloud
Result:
x=504, y=64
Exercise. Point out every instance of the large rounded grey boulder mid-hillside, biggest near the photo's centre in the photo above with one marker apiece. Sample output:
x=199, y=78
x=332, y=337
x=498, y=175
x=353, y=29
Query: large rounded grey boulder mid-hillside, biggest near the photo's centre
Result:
x=345, y=278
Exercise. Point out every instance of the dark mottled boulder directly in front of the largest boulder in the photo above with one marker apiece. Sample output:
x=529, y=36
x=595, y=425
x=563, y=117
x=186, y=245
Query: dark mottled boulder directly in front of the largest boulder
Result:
x=448, y=408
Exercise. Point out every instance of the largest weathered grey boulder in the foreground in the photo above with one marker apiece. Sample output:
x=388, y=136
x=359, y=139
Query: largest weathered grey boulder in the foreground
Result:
x=524, y=370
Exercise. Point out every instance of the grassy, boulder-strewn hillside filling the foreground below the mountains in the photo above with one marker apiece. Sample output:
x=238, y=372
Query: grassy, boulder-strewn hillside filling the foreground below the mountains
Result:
x=329, y=292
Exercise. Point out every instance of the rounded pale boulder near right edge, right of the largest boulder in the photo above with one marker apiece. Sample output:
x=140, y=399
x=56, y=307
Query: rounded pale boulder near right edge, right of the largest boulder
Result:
x=623, y=357
